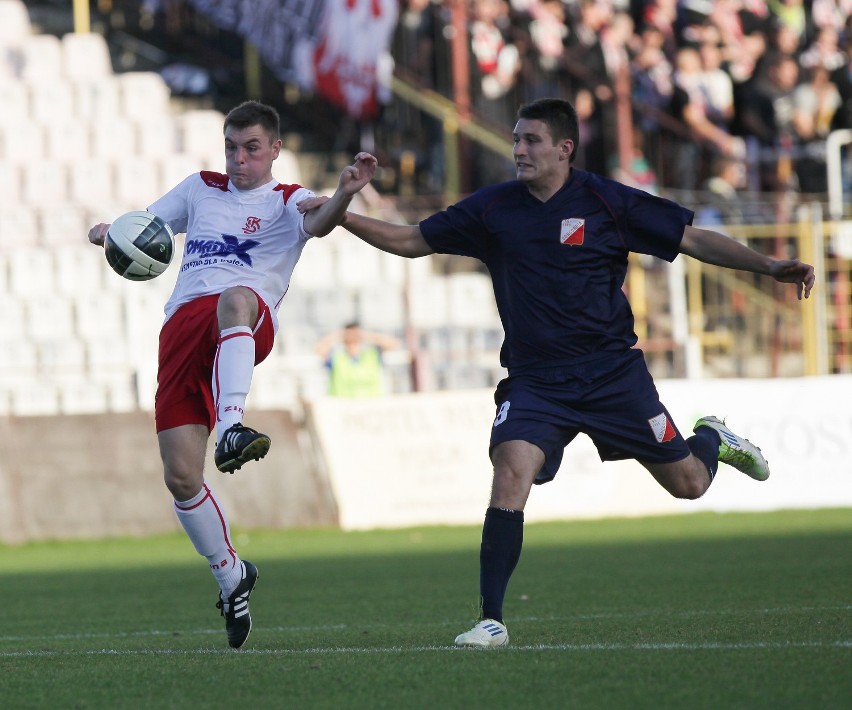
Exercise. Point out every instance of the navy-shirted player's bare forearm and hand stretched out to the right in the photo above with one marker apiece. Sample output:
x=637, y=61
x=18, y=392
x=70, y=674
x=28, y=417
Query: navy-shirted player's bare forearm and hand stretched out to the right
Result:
x=717, y=249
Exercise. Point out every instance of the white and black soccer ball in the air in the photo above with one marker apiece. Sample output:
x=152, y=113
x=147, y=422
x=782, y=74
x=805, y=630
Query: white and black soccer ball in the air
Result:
x=139, y=246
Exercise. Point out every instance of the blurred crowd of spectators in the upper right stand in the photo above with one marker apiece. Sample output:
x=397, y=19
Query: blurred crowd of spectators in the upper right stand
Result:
x=671, y=93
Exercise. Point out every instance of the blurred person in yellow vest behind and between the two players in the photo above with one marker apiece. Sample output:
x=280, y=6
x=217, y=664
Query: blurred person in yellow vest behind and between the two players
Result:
x=353, y=357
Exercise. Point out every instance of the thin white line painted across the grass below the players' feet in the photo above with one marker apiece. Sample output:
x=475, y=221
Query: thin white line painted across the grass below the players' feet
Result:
x=355, y=650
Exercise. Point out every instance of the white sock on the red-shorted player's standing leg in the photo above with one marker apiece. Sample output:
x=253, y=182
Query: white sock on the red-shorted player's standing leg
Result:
x=207, y=527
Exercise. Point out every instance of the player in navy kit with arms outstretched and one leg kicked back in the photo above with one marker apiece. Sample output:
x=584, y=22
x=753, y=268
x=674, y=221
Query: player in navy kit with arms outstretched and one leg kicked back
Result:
x=556, y=243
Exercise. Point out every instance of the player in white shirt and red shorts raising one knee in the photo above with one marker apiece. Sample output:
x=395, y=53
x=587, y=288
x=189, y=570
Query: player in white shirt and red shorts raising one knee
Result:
x=244, y=236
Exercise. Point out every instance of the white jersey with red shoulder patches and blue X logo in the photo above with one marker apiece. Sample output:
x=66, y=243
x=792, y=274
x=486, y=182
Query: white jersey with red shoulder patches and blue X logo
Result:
x=234, y=237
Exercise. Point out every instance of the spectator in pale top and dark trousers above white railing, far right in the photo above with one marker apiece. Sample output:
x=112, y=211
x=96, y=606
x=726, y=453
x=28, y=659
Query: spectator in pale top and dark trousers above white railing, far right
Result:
x=815, y=101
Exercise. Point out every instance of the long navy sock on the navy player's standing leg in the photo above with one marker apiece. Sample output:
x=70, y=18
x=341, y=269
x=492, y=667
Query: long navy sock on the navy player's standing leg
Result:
x=502, y=538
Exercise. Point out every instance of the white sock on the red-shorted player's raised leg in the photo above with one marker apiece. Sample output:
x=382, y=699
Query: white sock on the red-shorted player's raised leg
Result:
x=232, y=371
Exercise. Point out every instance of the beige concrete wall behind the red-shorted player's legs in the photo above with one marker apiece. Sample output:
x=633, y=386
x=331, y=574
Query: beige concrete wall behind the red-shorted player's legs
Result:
x=100, y=476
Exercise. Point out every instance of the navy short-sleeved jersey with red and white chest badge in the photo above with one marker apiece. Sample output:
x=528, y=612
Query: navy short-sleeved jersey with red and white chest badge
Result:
x=558, y=267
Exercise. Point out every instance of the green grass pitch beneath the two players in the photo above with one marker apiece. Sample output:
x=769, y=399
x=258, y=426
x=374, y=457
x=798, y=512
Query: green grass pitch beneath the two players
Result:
x=696, y=611
